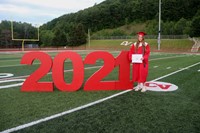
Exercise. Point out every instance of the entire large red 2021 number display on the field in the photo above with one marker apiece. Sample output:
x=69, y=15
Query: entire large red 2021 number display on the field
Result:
x=93, y=83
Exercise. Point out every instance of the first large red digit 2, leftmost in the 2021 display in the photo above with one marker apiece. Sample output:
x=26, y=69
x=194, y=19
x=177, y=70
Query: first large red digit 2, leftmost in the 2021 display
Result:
x=31, y=83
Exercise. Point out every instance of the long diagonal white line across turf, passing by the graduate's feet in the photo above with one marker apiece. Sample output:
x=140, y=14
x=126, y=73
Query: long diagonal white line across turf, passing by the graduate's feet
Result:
x=86, y=105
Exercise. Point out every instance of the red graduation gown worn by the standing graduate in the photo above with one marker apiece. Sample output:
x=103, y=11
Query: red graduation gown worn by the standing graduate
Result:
x=140, y=70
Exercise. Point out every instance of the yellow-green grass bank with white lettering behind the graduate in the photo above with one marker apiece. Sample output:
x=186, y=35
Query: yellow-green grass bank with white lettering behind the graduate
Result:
x=174, y=45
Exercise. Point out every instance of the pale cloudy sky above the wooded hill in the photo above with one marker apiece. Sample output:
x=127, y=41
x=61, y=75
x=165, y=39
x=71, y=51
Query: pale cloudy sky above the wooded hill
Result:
x=38, y=12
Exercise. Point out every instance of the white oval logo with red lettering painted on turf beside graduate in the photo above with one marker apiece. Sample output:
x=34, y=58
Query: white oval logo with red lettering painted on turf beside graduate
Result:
x=160, y=86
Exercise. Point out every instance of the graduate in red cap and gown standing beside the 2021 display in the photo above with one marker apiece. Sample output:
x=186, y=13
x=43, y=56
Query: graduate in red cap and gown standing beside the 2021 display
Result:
x=140, y=70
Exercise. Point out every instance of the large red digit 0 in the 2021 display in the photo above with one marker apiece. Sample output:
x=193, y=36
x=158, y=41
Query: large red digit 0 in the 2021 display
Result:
x=58, y=71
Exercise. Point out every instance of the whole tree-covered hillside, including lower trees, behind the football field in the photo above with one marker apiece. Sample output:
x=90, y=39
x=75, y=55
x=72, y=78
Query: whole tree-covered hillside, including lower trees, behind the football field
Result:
x=178, y=17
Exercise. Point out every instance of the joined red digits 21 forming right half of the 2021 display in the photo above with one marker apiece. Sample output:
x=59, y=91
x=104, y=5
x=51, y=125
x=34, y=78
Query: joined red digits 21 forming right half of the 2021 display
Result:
x=95, y=83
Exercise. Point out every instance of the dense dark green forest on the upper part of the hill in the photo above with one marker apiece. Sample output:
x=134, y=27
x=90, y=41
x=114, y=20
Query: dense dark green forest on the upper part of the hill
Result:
x=114, y=13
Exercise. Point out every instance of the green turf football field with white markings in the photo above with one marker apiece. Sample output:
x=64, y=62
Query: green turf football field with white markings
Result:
x=104, y=111
